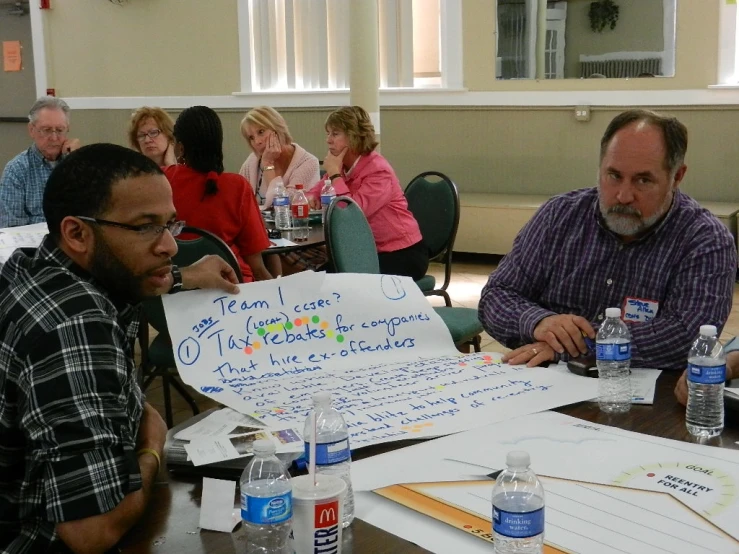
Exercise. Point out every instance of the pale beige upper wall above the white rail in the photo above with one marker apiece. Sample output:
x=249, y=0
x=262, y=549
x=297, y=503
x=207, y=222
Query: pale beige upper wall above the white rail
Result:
x=190, y=47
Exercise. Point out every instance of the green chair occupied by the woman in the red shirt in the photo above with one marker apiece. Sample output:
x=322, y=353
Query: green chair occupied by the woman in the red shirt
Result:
x=157, y=358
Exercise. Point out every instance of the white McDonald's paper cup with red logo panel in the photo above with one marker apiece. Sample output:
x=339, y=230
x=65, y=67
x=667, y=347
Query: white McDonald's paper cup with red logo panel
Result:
x=317, y=514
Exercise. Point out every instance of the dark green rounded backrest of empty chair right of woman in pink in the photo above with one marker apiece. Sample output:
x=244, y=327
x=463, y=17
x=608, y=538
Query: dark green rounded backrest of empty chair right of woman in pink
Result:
x=433, y=200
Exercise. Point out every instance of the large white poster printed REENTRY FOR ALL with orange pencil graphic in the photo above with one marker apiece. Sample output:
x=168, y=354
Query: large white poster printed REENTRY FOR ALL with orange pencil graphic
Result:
x=607, y=490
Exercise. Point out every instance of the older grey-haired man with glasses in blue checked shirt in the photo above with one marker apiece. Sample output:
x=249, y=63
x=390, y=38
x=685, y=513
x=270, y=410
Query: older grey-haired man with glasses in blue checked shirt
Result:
x=24, y=179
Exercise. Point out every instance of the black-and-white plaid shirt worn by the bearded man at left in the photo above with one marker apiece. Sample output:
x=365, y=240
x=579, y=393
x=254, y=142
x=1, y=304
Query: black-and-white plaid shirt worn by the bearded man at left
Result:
x=70, y=405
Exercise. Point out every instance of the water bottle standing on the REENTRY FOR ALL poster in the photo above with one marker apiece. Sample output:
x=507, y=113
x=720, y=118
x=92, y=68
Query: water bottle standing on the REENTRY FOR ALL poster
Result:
x=518, y=508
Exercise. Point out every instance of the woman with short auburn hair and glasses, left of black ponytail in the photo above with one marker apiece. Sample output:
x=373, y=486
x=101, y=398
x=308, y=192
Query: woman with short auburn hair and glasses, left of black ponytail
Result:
x=150, y=132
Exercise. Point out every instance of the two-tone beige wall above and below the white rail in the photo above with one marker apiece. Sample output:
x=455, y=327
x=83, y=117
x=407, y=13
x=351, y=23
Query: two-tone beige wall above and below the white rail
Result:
x=192, y=49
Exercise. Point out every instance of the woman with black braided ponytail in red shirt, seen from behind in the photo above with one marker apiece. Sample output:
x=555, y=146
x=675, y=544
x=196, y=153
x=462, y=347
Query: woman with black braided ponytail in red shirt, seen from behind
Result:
x=207, y=197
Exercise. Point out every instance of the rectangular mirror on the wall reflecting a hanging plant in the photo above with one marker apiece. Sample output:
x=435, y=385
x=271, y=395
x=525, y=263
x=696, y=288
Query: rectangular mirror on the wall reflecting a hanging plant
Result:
x=580, y=39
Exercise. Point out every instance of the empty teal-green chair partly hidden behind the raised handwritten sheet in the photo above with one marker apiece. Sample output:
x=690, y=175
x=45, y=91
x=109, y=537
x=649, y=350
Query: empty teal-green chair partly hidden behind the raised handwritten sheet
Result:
x=351, y=249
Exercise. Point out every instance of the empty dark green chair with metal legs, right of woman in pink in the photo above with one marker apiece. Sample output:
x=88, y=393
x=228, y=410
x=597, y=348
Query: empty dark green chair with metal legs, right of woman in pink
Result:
x=434, y=202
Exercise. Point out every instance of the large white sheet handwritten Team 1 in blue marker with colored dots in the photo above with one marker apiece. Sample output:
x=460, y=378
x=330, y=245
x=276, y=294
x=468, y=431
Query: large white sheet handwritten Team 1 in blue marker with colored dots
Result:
x=373, y=341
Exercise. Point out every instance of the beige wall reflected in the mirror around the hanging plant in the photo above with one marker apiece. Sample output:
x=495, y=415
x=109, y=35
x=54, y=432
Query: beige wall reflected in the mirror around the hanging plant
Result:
x=639, y=29
